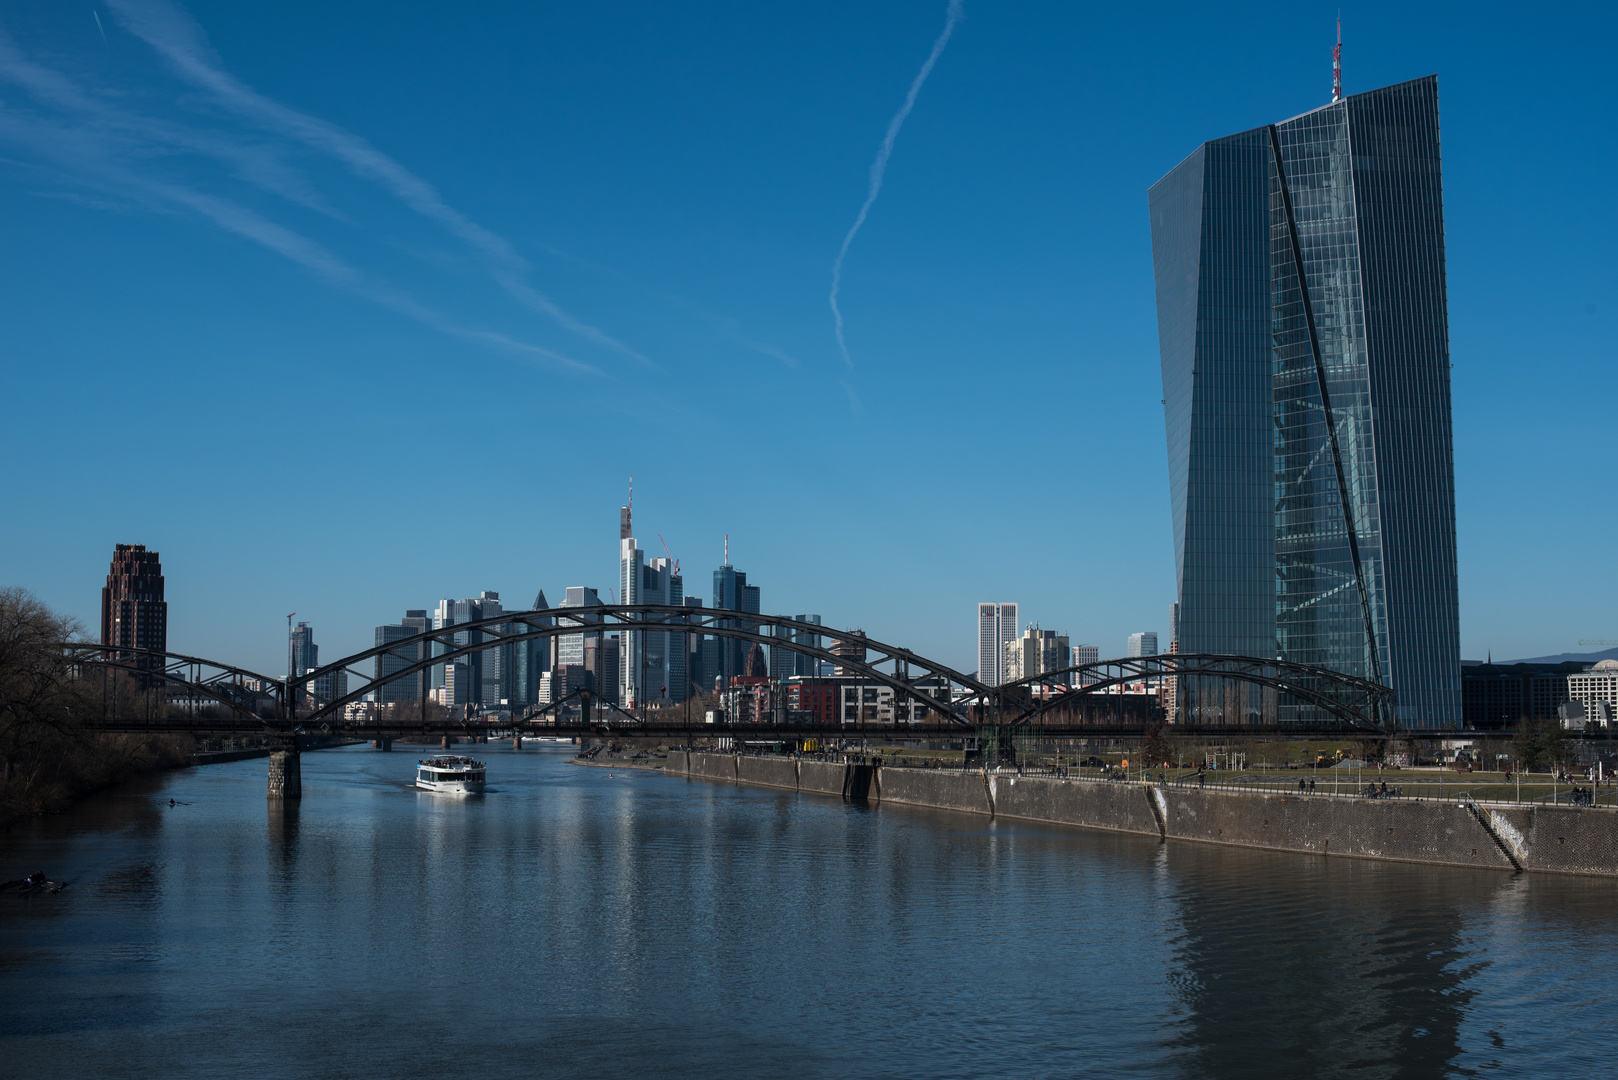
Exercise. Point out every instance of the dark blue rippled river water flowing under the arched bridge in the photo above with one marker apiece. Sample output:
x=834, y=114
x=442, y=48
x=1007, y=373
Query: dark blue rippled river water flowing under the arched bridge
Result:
x=585, y=922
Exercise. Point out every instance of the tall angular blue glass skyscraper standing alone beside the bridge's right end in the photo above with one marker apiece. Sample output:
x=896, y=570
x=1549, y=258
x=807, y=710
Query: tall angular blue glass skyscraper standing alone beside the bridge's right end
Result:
x=1305, y=344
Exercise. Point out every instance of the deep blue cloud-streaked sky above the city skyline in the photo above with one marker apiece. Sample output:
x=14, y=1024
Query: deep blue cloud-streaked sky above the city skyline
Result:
x=349, y=308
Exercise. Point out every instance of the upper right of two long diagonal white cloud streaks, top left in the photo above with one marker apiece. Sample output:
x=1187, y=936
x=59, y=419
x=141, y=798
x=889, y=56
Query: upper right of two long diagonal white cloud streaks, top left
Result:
x=184, y=45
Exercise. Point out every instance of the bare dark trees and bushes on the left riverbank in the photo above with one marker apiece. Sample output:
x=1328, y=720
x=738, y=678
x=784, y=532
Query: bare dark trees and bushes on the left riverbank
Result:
x=48, y=760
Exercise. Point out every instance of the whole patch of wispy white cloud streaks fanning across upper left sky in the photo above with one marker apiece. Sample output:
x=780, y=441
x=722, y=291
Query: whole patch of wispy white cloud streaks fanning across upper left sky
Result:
x=106, y=142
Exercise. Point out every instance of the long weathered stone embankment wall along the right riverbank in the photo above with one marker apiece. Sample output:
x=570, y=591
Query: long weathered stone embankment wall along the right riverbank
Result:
x=1551, y=840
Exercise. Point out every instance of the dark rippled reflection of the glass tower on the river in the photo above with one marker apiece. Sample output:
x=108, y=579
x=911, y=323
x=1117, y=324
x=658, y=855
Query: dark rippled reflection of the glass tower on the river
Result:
x=1294, y=966
